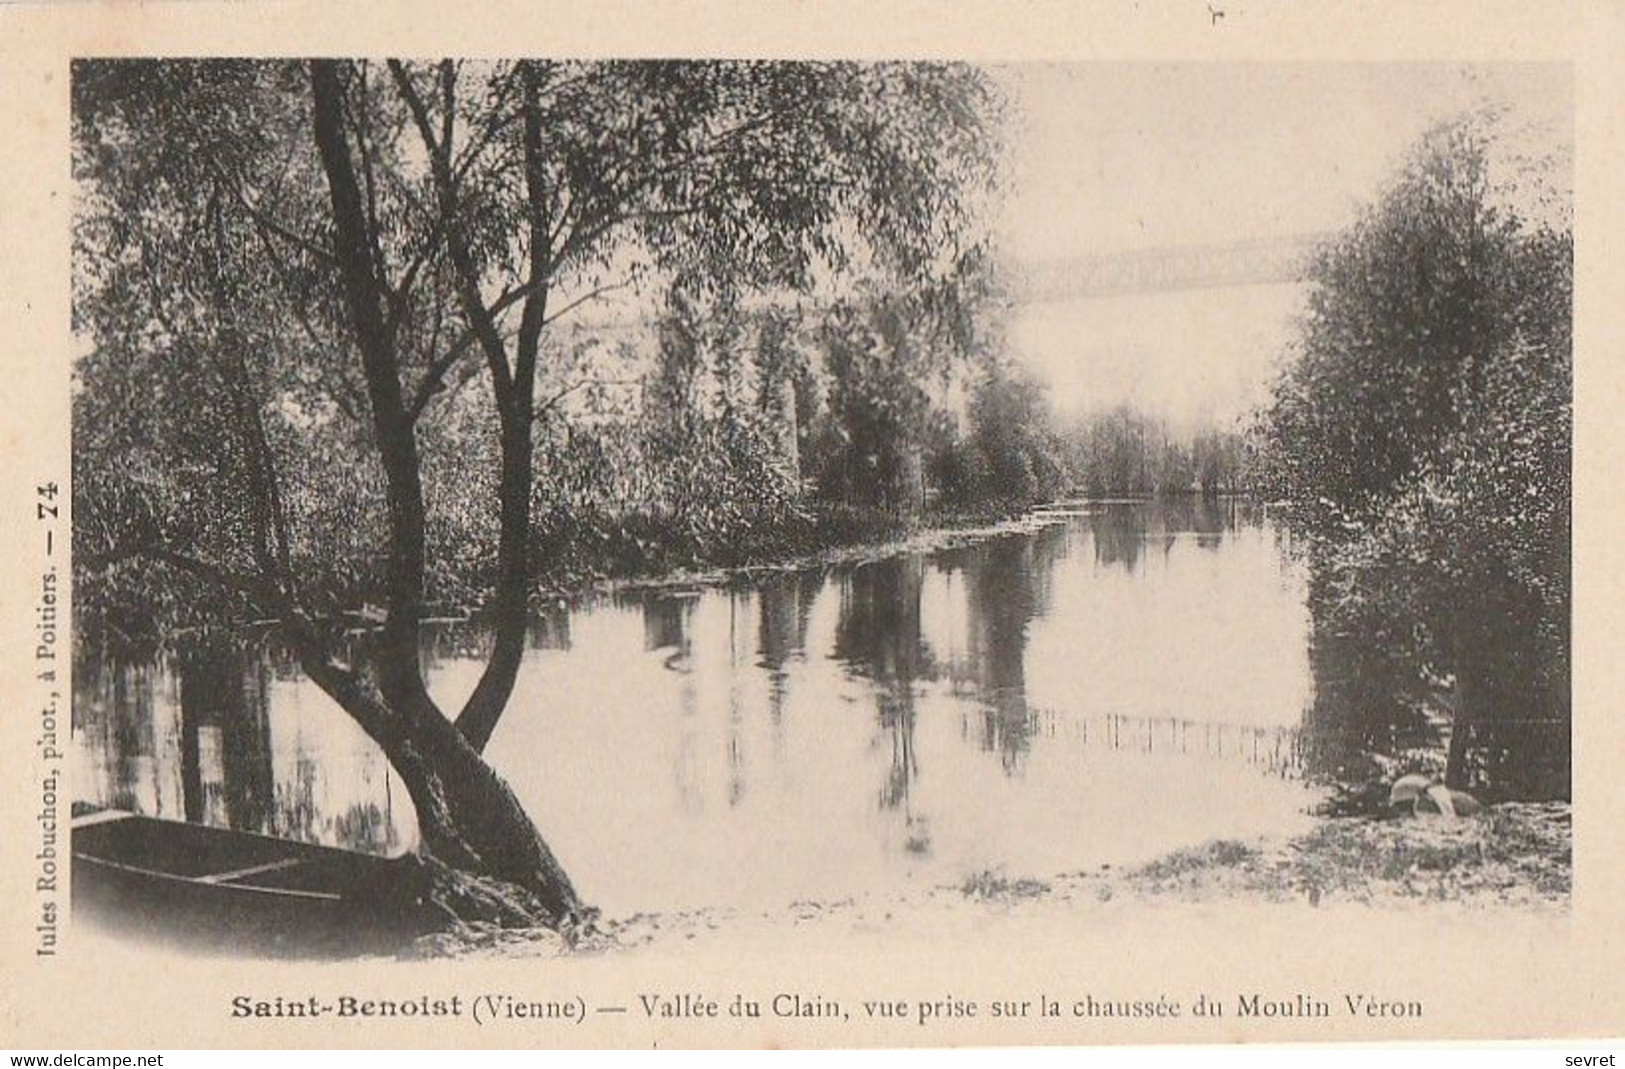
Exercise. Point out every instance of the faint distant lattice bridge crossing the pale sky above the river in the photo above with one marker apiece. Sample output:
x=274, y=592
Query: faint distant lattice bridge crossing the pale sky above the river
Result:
x=1159, y=270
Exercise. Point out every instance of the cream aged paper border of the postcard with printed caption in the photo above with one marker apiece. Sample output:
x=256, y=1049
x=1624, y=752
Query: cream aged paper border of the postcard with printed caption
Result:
x=886, y=971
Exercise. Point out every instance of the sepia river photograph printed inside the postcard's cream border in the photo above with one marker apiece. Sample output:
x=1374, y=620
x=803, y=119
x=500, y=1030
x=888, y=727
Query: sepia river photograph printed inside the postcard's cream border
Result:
x=552, y=496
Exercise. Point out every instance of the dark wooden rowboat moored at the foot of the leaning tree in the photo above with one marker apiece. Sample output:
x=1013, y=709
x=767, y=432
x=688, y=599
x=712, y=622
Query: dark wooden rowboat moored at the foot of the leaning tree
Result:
x=240, y=891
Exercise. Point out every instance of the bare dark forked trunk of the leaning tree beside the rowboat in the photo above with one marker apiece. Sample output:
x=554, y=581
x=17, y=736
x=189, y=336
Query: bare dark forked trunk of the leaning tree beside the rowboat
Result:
x=467, y=815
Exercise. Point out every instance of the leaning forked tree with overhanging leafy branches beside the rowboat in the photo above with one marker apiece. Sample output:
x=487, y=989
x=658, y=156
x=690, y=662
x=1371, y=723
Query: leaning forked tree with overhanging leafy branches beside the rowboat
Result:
x=284, y=269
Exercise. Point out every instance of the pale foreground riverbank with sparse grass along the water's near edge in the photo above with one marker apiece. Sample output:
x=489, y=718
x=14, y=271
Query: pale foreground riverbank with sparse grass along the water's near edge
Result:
x=1514, y=860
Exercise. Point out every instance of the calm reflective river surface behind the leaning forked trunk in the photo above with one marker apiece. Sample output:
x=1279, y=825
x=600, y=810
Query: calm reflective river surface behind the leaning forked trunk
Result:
x=1119, y=683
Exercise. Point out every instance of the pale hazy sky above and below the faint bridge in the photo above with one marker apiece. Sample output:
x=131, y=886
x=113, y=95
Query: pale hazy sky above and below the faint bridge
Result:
x=1109, y=158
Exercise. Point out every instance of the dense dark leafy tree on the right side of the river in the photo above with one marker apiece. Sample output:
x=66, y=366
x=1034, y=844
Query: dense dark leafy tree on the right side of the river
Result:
x=1421, y=438
